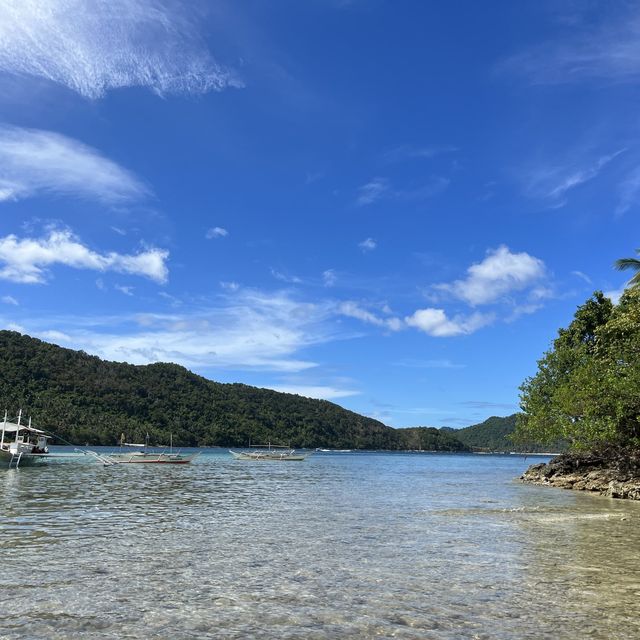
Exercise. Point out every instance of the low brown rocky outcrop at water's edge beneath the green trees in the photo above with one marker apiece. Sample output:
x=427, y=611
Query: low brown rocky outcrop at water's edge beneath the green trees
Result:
x=614, y=474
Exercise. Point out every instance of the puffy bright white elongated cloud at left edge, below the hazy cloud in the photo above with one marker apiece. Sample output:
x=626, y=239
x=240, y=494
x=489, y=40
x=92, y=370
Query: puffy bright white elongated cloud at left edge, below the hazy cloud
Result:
x=27, y=260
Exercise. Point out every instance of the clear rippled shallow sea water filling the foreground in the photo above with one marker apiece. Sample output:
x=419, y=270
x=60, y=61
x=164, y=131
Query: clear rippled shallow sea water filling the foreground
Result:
x=338, y=546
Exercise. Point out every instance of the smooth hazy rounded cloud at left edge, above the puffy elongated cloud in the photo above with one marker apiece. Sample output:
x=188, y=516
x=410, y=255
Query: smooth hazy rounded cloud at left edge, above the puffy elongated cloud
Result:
x=33, y=161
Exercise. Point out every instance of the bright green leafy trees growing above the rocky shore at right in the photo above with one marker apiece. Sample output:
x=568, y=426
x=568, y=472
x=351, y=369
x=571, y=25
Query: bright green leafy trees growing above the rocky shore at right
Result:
x=586, y=387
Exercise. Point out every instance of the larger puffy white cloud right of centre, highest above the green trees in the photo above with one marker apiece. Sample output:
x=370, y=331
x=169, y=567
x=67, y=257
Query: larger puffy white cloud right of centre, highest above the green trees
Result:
x=500, y=273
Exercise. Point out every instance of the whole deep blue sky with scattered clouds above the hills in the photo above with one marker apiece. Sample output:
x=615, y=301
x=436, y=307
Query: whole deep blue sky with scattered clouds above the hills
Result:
x=390, y=205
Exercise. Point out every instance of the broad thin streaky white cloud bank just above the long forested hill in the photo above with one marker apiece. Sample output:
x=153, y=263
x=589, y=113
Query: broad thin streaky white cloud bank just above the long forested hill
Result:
x=249, y=330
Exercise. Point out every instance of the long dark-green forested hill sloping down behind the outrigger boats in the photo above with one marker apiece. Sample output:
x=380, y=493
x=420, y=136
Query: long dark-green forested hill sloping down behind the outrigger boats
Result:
x=86, y=399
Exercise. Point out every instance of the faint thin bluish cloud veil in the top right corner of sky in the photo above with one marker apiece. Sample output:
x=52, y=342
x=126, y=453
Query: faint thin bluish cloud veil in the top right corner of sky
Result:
x=607, y=53
